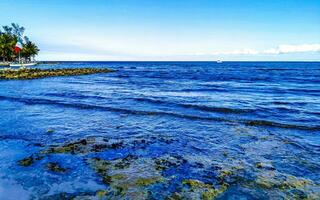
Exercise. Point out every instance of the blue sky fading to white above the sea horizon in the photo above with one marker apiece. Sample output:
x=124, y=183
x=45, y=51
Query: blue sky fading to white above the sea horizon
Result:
x=169, y=30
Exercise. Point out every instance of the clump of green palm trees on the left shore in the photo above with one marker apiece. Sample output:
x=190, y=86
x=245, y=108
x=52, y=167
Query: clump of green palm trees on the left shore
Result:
x=9, y=37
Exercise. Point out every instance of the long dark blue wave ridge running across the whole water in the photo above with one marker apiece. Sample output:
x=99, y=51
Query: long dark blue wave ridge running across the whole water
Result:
x=34, y=101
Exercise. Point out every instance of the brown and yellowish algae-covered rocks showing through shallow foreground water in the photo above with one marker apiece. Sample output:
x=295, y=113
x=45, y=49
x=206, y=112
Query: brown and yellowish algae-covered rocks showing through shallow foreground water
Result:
x=133, y=177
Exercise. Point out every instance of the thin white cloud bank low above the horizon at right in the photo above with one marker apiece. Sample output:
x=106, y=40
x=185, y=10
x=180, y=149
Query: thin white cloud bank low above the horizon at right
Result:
x=281, y=49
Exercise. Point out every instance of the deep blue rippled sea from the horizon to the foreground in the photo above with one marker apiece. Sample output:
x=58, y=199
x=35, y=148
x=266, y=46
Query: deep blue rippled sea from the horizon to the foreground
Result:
x=237, y=129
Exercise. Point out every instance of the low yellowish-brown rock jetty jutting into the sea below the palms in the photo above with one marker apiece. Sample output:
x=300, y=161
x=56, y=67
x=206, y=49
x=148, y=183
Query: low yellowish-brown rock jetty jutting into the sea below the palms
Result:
x=36, y=73
